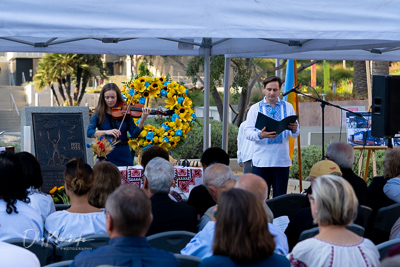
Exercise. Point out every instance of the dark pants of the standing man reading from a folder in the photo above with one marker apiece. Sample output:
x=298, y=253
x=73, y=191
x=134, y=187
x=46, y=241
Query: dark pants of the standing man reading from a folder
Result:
x=278, y=177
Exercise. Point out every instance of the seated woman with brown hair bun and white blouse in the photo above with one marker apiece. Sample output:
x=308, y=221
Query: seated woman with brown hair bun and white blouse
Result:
x=81, y=218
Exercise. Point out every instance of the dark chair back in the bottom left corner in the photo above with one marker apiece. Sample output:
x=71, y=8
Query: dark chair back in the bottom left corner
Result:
x=42, y=250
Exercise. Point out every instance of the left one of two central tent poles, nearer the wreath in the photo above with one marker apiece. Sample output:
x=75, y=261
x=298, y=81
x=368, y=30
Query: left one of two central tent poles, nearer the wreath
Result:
x=207, y=52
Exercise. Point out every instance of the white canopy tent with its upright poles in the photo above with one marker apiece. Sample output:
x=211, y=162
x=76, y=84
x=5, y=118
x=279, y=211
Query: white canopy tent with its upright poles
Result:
x=310, y=29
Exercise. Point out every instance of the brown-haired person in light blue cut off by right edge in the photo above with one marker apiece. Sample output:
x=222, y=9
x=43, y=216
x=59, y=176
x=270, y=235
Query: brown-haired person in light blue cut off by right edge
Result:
x=391, y=171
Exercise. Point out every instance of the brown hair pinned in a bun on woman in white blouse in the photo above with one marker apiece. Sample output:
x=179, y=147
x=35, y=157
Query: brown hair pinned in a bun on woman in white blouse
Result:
x=78, y=176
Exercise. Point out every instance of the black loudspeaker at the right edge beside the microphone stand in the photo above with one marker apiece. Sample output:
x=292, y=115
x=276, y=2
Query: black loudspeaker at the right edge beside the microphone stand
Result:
x=385, y=105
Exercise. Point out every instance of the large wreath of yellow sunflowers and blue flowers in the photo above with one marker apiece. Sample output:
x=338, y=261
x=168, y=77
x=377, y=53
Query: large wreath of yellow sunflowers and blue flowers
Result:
x=174, y=128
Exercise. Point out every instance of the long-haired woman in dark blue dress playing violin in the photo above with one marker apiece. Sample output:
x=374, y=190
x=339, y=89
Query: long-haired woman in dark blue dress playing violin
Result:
x=103, y=124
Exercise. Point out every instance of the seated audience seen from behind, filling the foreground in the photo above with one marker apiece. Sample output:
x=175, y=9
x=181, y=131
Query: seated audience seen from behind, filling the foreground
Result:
x=231, y=219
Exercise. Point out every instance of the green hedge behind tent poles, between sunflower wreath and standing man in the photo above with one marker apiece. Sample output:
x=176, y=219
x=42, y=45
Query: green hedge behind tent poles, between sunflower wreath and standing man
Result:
x=192, y=146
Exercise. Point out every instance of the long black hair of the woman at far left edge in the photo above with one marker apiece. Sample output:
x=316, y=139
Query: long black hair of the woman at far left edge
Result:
x=12, y=186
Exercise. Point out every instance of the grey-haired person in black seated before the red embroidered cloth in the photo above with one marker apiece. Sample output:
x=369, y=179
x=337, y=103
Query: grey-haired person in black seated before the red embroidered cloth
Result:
x=168, y=214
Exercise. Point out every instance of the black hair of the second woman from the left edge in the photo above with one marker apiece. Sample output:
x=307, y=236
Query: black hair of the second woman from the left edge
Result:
x=30, y=169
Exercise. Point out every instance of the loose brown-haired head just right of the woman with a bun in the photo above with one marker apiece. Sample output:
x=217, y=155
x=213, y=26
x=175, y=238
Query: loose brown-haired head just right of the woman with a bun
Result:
x=107, y=178
